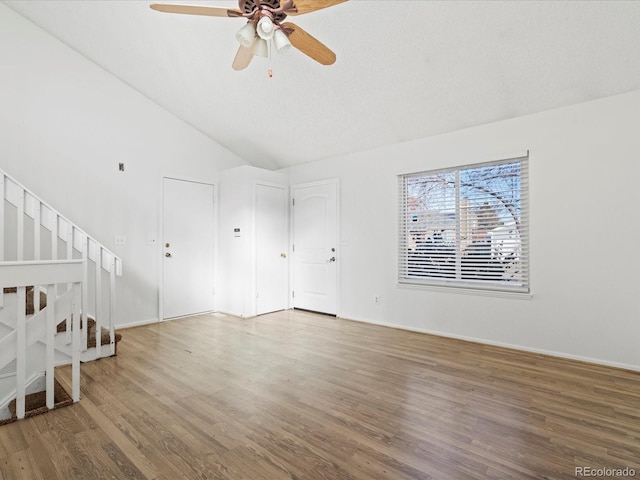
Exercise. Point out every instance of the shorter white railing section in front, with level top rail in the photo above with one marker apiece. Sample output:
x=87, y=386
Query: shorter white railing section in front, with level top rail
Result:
x=67, y=306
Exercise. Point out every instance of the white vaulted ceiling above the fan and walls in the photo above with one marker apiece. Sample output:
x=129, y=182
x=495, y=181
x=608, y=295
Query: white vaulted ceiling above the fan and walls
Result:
x=404, y=69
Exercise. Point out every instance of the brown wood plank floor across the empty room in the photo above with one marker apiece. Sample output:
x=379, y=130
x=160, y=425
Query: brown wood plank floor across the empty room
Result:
x=294, y=395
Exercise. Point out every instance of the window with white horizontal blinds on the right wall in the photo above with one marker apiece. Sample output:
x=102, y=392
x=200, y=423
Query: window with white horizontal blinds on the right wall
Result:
x=466, y=227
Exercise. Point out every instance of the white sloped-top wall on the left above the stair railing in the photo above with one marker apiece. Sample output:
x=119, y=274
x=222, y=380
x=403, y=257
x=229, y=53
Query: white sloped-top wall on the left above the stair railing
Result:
x=65, y=124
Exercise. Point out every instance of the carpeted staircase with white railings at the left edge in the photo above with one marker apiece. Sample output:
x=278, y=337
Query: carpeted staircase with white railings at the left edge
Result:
x=57, y=298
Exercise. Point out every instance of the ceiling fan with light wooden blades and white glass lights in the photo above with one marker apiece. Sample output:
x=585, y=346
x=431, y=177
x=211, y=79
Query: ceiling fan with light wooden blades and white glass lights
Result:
x=265, y=23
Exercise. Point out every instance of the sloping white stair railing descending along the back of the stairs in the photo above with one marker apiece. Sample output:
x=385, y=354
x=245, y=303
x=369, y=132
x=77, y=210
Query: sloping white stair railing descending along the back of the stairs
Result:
x=32, y=219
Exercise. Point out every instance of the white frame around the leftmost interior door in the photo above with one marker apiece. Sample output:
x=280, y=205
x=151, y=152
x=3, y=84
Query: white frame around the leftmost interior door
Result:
x=160, y=245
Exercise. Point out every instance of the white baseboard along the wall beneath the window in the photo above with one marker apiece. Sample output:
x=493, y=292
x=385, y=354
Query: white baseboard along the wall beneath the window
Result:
x=511, y=346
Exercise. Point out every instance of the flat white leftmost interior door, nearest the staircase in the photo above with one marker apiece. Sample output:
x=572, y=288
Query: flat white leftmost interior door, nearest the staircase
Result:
x=188, y=248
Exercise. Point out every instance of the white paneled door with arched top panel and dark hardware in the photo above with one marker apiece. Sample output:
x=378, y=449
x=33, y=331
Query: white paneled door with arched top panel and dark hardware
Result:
x=315, y=255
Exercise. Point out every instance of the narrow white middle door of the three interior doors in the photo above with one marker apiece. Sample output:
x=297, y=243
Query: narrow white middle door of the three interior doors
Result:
x=271, y=248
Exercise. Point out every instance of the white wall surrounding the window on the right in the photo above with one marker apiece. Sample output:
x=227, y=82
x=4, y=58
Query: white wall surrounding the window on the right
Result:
x=584, y=170
